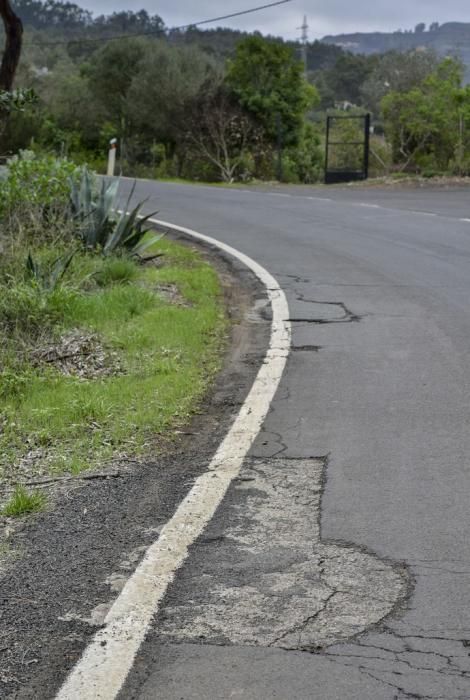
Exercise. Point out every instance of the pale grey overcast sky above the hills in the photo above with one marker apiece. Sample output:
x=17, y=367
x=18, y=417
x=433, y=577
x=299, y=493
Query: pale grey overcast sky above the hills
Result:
x=324, y=16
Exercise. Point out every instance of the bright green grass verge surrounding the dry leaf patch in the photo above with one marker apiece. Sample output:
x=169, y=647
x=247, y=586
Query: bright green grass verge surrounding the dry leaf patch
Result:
x=169, y=355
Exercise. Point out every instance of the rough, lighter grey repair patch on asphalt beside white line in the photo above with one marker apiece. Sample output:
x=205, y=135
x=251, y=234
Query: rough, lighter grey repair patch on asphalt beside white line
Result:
x=268, y=579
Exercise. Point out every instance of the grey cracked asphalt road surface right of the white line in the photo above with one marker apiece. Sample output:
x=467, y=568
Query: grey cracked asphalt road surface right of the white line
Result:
x=376, y=404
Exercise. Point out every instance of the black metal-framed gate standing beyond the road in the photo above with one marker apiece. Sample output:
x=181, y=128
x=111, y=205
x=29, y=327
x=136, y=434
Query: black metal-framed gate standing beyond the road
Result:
x=347, y=148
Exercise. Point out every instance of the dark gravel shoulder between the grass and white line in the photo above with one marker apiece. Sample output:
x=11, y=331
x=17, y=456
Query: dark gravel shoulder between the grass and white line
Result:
x=73, y=561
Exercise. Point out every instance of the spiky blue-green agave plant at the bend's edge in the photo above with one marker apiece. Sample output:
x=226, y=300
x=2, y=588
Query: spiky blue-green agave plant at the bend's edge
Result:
x=99, y=227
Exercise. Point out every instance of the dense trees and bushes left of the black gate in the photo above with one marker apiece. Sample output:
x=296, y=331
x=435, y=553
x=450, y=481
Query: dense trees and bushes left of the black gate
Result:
x=177, y=109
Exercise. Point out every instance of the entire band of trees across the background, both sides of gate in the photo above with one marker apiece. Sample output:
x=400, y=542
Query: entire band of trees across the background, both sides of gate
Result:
x=220, y=104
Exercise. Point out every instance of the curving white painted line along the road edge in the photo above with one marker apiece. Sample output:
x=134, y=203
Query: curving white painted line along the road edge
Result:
x=106, y=662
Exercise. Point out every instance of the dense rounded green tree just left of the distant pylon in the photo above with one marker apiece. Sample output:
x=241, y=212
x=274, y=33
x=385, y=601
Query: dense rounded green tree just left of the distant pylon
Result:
x=268, y=81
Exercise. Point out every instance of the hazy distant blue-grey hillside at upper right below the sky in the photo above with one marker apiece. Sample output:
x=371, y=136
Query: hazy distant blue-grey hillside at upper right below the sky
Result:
x=450, y=39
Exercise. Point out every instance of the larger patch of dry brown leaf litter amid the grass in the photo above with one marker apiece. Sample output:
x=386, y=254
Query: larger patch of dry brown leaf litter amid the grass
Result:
x=78, y=354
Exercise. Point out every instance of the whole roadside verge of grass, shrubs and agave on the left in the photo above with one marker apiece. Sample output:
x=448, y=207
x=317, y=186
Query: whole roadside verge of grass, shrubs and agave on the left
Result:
x=110, y=334
